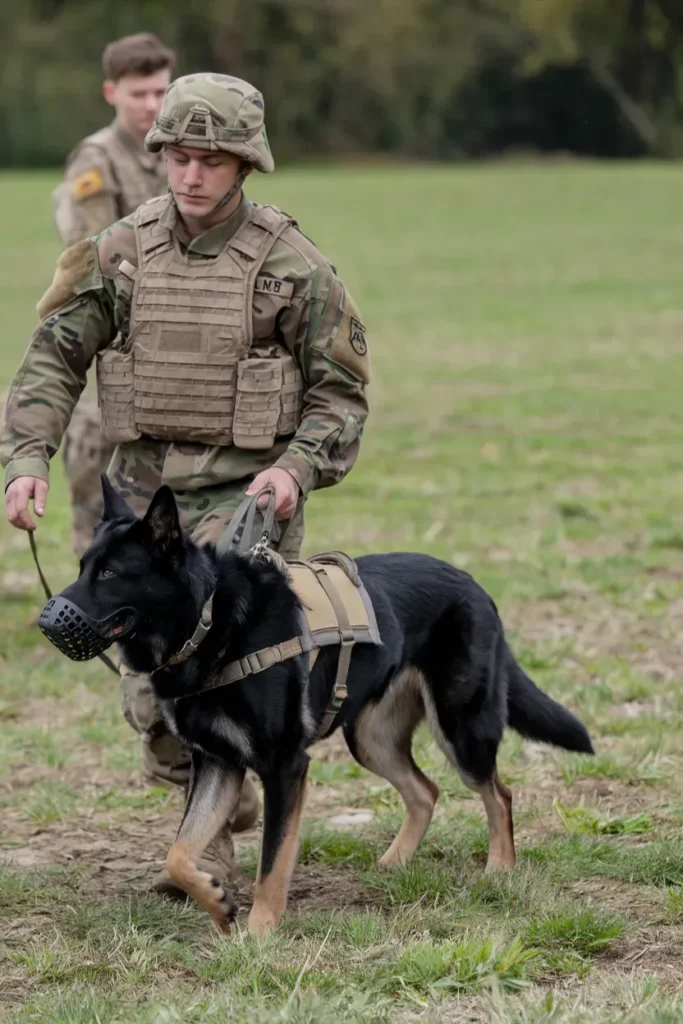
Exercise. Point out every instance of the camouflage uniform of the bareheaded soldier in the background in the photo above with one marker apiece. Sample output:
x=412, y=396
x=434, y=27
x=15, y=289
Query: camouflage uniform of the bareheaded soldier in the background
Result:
x=107, y=178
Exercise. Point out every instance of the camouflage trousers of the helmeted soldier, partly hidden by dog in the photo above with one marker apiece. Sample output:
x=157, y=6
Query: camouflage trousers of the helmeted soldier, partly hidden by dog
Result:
x=205, y=515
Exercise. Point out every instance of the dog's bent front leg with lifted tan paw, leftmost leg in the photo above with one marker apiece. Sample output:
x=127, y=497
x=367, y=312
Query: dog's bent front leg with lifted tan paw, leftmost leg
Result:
x=212, y=800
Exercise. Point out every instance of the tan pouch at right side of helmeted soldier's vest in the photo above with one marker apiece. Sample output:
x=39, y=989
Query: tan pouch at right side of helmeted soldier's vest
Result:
x=269, y=402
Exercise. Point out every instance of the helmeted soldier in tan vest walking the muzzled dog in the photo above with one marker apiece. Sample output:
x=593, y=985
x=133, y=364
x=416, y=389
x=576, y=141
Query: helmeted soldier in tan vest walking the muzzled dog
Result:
x=230, y=357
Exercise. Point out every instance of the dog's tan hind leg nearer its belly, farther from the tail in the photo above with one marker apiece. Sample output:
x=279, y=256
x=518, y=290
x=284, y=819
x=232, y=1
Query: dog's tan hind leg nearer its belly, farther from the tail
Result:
x=381, y=742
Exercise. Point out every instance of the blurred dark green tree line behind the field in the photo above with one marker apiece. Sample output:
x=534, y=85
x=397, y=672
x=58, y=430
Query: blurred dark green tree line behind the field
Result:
x=418, y=79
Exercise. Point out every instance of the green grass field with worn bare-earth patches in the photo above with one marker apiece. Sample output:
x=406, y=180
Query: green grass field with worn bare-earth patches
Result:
x=526, y=325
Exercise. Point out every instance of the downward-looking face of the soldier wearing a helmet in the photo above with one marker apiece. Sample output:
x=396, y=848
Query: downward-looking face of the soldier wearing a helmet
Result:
x=199, y=179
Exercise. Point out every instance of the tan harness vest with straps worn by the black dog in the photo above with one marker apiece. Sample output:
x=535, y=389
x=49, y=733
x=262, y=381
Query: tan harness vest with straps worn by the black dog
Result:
x=337, y=613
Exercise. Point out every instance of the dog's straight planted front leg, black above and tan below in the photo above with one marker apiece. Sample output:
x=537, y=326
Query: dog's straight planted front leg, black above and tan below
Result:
x=283, y=803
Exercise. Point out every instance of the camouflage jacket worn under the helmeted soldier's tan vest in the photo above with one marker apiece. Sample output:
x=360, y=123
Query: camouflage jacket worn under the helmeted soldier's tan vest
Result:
x=87, y=309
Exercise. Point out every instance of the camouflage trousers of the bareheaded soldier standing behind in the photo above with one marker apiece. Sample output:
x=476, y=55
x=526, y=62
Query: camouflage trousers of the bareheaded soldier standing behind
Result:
x=87, y=455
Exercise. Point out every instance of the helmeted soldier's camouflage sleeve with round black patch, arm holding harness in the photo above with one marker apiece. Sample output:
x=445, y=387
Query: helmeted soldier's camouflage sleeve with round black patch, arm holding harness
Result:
x=324, y=332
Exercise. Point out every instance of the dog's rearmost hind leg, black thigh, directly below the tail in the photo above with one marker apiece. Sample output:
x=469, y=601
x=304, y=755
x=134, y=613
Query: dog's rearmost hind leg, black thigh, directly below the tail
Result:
x=471, y=742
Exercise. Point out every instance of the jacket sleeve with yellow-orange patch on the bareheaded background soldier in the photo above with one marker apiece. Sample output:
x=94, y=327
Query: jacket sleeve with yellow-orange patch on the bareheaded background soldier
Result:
x=87, y=202
